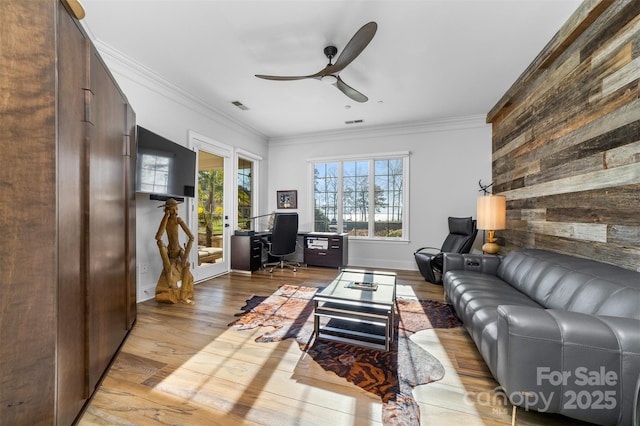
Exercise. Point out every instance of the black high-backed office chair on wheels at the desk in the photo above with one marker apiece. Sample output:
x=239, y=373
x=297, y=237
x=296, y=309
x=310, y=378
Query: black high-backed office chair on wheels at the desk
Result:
x=282, y=242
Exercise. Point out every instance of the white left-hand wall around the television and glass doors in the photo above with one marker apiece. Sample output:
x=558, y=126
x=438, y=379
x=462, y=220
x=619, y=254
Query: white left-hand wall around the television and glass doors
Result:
x=172, y=113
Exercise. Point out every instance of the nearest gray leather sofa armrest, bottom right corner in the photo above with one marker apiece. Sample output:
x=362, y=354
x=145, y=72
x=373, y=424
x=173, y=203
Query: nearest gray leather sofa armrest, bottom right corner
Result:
x=580, y=365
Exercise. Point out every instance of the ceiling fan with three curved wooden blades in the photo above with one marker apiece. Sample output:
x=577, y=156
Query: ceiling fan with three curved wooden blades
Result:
x=329, y=74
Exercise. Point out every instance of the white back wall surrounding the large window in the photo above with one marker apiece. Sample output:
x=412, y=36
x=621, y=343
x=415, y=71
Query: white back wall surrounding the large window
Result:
x=447, y=160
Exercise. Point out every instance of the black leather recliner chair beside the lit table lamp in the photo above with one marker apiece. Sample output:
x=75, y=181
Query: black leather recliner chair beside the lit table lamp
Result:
x=462, y=234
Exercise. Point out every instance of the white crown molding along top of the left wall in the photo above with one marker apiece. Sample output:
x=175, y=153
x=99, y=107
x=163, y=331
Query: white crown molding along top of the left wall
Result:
x=125, y=66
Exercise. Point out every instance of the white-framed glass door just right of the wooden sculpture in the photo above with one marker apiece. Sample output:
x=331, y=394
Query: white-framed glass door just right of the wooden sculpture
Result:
x=211, y=208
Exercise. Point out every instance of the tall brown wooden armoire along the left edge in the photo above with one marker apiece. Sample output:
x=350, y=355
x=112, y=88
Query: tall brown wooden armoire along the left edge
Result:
x=67, y=215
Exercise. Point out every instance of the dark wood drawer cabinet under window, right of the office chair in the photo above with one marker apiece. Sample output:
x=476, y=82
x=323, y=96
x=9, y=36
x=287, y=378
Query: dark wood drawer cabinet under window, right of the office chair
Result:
x=326, y=249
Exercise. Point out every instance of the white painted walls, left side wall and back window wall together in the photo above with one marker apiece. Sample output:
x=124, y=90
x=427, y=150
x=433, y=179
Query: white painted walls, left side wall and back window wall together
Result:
x=447, y=160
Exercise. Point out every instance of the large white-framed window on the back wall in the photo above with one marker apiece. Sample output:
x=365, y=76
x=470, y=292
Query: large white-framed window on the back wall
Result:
x=364, y=197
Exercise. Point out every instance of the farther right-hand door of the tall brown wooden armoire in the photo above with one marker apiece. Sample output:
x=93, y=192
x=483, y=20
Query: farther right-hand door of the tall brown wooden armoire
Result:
x=107, y=222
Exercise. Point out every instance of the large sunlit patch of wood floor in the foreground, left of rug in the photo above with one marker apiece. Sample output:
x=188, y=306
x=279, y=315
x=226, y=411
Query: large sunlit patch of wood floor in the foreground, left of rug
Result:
x=277, y=378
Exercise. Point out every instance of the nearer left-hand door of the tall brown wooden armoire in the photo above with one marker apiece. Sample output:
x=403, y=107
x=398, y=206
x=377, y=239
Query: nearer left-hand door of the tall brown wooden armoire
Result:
x=71, y=348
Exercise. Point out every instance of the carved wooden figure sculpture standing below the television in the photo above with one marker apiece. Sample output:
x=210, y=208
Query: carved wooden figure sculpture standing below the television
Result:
x=176, y=282
